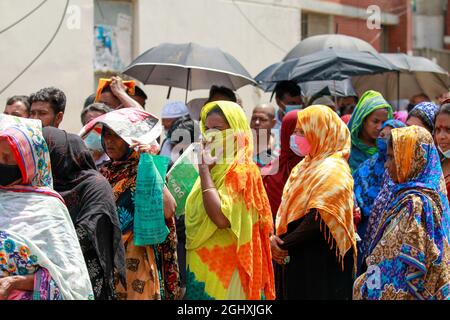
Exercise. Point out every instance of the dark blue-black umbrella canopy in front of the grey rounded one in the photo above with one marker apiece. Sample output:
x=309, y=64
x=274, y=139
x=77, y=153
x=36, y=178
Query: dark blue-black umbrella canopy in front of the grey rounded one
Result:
x=327, y=64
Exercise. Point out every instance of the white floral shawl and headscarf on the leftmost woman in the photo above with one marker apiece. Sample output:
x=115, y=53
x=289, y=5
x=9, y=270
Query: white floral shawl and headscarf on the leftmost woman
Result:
x=36, y=233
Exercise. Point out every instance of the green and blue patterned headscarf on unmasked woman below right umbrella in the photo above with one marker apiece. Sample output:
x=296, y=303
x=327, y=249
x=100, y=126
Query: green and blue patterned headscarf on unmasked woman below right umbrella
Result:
x=370, y=101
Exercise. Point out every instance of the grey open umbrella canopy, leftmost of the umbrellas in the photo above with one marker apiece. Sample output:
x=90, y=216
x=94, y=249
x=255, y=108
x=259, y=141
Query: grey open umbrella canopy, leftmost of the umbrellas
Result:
x=188, y=66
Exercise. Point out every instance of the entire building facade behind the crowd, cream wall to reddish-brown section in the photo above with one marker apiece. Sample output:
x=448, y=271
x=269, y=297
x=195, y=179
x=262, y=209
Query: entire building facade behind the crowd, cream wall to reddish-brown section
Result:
x=71, y=44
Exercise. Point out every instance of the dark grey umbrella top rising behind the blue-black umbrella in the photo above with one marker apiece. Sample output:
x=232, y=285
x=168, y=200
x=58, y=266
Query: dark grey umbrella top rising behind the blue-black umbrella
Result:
x=326, y=41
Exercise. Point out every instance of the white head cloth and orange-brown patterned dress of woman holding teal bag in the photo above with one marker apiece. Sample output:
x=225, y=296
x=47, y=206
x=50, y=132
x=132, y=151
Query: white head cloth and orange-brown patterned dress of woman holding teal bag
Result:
x=152, y=270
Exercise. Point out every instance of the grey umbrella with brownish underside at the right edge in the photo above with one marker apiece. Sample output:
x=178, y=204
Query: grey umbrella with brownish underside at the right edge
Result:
x=417, y=75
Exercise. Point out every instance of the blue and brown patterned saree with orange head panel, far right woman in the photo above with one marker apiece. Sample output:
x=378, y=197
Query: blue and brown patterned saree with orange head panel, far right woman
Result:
x=409, y=257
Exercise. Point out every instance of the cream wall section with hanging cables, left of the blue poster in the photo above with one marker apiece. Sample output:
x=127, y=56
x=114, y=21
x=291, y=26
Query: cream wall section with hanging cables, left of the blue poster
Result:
x=66, y=64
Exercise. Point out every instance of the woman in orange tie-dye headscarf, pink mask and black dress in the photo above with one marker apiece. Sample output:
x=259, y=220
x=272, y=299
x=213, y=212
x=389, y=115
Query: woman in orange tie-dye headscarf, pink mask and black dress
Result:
x=315, y=233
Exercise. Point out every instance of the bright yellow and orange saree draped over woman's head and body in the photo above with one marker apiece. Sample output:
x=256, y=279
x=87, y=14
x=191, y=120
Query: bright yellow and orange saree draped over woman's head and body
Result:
x=235, y=262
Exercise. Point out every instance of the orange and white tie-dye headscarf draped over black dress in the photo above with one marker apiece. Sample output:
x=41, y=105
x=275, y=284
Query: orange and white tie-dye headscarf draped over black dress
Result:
x=323, y=180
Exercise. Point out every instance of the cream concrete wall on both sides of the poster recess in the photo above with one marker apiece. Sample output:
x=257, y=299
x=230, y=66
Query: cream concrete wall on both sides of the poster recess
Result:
x=68, y=62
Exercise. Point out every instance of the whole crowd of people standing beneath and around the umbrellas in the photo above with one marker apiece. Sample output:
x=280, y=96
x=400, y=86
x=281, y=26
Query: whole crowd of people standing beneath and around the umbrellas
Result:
x=318, y=198
